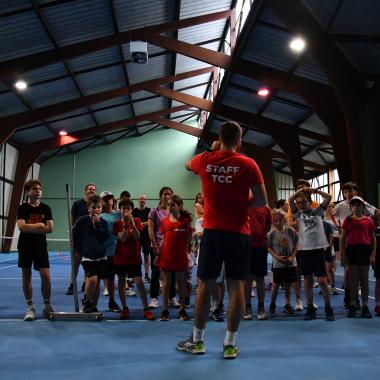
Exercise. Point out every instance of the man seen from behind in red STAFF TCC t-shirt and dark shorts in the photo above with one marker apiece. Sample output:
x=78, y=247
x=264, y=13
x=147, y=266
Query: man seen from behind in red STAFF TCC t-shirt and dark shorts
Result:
x=227, y=178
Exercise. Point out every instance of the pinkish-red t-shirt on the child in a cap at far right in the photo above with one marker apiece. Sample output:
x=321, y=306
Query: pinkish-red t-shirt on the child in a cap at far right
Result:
x=359, y=231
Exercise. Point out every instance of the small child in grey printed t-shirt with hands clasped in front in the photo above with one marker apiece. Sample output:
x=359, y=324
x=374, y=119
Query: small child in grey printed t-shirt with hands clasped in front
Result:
x=283, y=245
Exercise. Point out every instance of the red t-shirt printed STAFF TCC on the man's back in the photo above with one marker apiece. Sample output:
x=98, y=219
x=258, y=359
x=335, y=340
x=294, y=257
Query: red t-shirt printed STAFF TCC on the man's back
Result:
x=226, y=179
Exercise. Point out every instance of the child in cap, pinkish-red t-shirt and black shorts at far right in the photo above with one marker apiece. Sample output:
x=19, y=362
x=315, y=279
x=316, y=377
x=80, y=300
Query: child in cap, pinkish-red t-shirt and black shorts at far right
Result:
x=358, y=247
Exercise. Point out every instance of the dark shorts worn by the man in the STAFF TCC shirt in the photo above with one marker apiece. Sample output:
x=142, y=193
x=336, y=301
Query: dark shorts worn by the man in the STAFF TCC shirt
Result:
x=221, y=246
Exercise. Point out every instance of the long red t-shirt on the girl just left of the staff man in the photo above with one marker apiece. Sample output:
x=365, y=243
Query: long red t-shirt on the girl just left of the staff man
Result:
x=173, y=253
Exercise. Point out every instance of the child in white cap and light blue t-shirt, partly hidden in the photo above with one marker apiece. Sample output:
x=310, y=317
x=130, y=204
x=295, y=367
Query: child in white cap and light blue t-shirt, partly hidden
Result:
x=111, y=216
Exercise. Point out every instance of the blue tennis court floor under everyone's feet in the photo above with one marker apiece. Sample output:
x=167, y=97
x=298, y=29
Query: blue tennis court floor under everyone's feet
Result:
x=282, y=347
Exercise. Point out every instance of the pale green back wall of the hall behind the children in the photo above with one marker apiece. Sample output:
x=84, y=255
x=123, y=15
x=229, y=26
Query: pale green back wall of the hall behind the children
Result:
x=139, y=165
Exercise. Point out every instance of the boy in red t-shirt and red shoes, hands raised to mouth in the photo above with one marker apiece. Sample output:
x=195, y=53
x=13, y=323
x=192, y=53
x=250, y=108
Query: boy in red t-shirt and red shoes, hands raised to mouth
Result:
x=127, y=258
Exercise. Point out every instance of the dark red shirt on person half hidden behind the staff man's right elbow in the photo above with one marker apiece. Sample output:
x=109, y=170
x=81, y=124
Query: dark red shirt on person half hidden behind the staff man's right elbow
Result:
x=260, y=221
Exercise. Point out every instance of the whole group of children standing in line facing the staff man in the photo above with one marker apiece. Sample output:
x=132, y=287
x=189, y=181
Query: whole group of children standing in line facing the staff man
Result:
x=107, y=238
